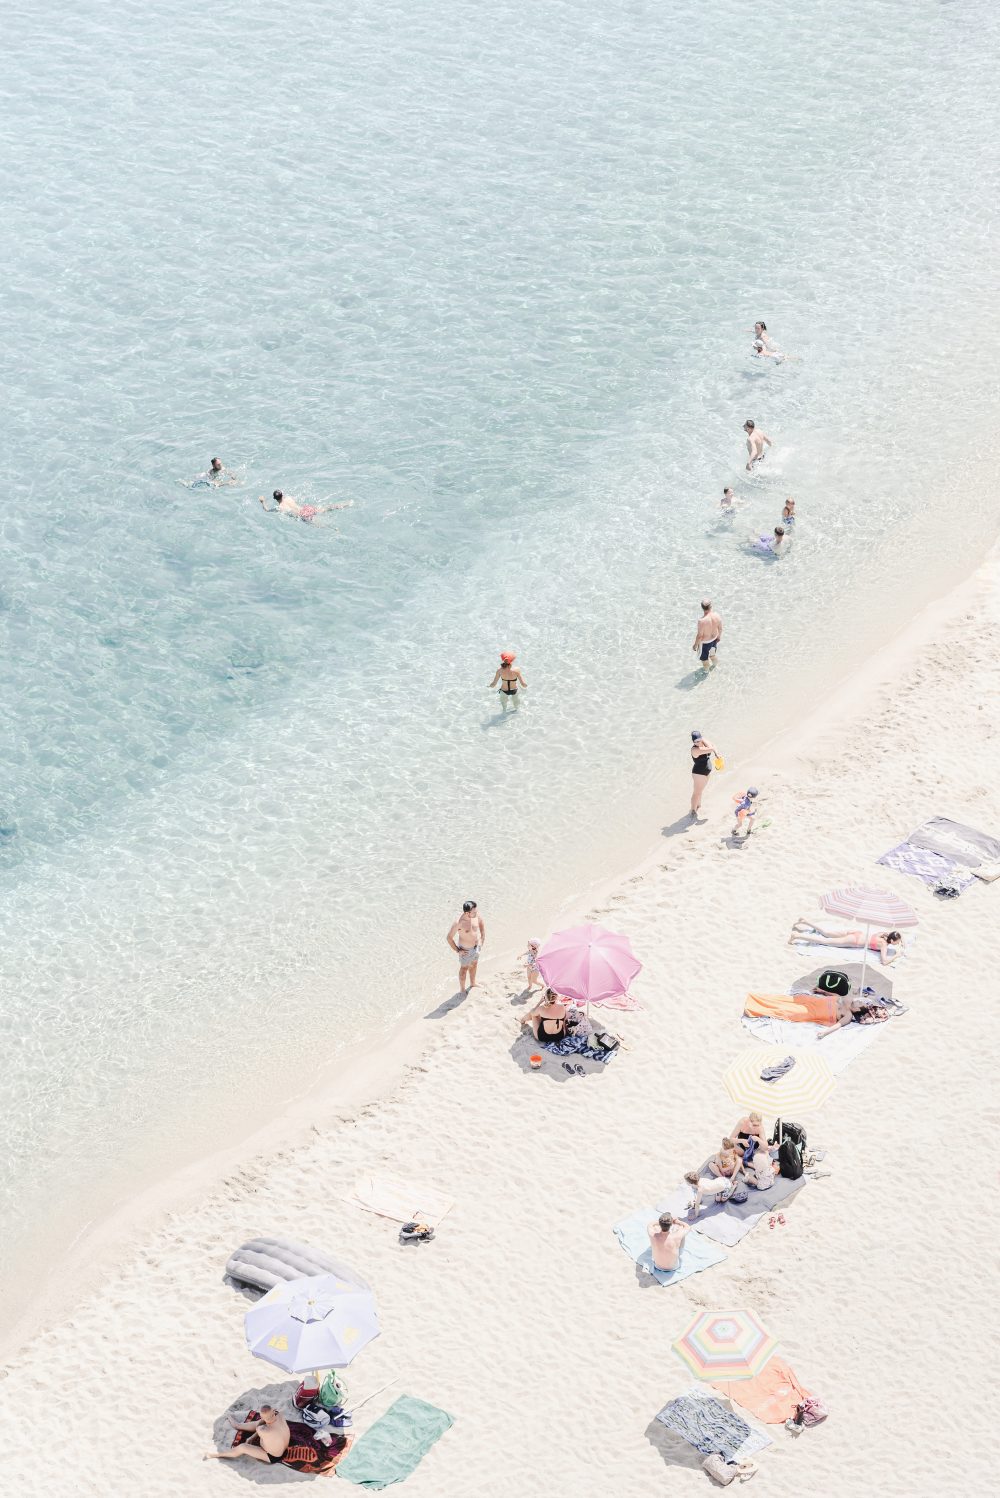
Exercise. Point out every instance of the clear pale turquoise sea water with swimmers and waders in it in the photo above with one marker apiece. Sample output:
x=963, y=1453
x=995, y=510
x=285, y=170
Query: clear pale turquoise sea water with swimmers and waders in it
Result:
x=487, y=272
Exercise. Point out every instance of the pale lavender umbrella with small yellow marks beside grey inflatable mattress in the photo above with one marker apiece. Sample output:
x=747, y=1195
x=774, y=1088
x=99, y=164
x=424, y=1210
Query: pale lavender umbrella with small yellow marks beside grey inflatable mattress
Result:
x=311, y=1323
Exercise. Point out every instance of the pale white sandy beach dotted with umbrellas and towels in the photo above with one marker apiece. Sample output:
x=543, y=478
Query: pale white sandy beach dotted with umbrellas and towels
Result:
x=525, y=1319
